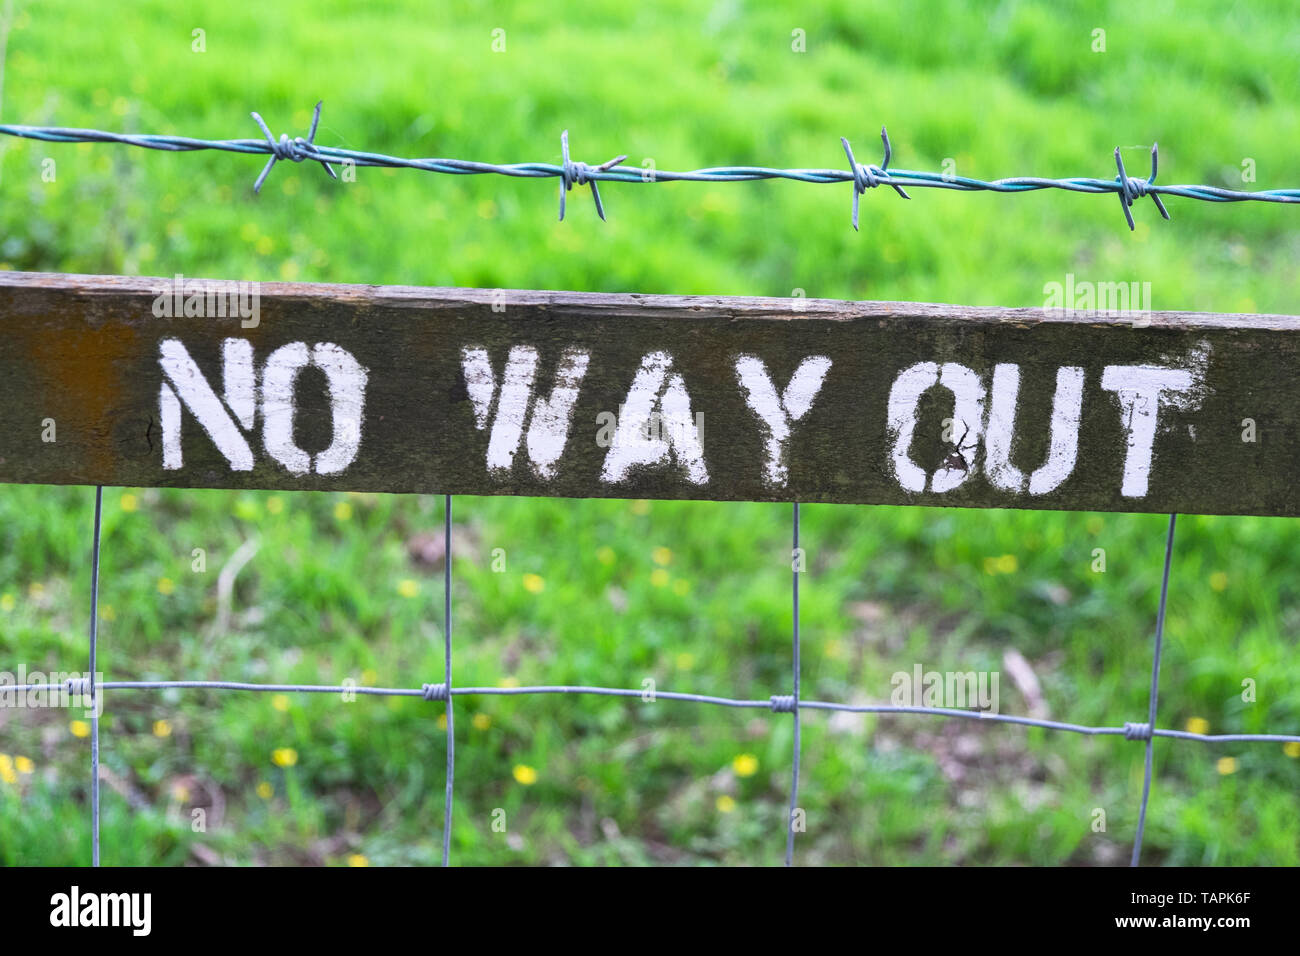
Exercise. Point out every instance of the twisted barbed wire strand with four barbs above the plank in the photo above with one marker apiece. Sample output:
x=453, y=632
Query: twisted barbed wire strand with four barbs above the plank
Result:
x=575, y=174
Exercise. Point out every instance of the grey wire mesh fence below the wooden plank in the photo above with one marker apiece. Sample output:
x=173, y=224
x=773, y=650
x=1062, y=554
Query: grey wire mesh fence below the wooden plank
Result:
x=786, y=703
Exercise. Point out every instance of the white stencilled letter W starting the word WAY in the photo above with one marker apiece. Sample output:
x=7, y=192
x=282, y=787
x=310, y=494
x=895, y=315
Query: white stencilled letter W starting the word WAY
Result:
x=548, y=419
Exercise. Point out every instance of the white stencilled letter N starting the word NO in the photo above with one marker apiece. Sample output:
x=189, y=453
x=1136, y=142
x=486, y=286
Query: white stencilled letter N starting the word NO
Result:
x=185, y=384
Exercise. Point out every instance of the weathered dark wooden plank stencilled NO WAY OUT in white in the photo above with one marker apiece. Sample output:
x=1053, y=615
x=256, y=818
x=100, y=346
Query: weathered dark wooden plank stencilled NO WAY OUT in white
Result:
x=144, y=382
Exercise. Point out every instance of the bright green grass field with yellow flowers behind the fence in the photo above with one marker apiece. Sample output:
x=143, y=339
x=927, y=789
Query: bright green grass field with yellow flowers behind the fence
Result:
x=695, y=596
